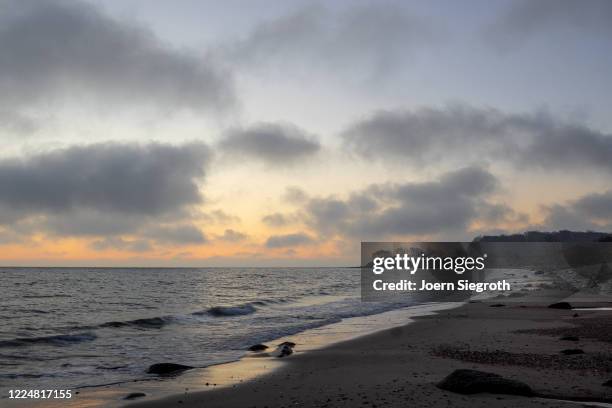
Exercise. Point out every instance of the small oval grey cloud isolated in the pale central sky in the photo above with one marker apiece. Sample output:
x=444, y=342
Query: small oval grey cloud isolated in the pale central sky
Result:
x=272, y=143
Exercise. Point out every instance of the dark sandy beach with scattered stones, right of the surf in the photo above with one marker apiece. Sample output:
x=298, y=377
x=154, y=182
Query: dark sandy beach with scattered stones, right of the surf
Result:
x=401, y=366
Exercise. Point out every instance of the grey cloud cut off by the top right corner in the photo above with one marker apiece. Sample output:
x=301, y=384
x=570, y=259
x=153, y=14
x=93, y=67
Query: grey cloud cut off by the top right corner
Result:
x=526, y=18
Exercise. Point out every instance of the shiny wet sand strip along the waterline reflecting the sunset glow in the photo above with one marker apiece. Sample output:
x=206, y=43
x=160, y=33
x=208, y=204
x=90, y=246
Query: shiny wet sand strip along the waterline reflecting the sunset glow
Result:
x=248, y=367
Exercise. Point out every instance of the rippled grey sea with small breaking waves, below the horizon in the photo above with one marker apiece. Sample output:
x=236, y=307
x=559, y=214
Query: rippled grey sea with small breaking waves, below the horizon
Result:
x=75, y=327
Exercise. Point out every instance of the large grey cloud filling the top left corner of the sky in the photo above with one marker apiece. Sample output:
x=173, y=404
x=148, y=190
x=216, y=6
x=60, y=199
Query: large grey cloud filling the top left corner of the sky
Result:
x=72, y=50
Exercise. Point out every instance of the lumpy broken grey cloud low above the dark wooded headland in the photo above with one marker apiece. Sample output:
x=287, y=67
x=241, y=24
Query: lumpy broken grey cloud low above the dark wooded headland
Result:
x=448, y=205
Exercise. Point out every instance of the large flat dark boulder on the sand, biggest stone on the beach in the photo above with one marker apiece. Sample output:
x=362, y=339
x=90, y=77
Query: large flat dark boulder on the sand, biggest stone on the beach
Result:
x=474, y=381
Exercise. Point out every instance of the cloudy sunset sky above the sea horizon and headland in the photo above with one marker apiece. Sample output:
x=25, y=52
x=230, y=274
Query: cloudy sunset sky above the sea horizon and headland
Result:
x=284, y=133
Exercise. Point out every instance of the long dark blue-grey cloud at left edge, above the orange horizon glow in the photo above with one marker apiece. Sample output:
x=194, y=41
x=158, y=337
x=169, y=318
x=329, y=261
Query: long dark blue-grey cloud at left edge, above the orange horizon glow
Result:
x=150, y=179
